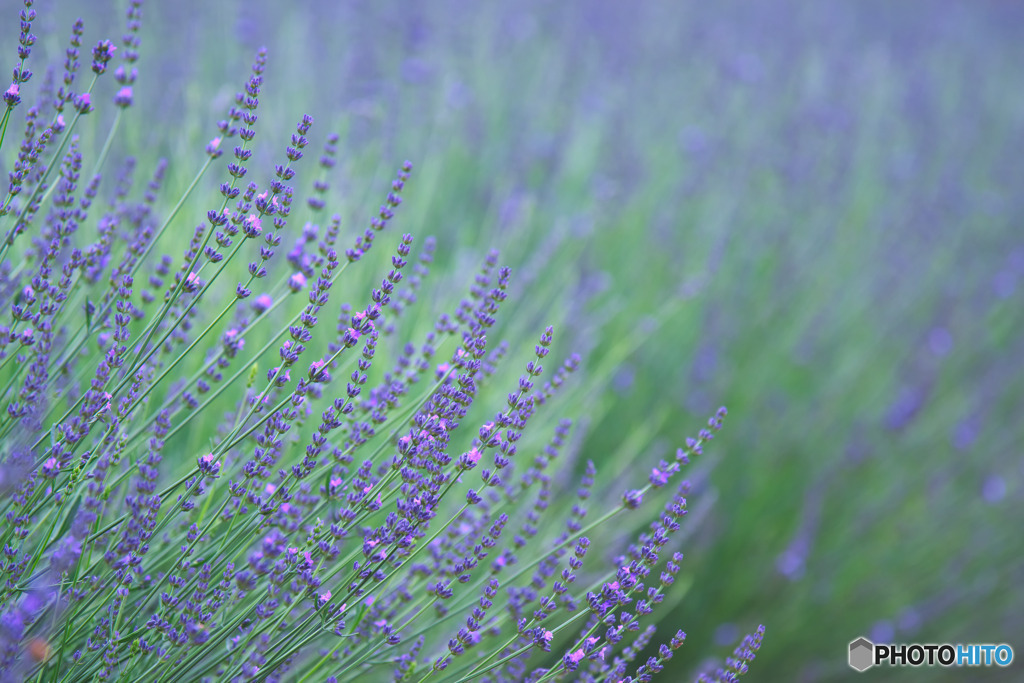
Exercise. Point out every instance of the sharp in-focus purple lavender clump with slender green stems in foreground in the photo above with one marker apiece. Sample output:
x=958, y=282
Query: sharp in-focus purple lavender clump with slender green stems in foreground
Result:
x=343, y=523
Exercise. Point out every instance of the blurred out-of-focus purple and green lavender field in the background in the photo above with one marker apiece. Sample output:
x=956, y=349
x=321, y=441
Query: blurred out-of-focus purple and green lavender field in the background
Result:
x=807, y=211
